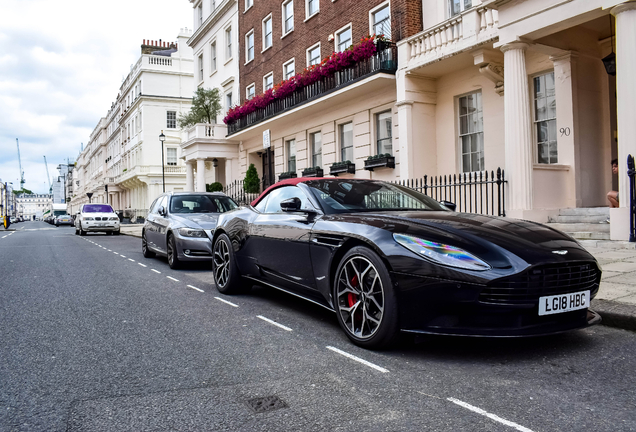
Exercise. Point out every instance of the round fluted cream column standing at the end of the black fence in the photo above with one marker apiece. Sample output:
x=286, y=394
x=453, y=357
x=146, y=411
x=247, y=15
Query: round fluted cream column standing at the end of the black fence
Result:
x=518, y=133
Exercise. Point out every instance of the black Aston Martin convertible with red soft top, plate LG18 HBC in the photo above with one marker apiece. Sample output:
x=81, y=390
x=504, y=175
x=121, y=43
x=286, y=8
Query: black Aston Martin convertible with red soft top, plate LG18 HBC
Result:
x=387, y=258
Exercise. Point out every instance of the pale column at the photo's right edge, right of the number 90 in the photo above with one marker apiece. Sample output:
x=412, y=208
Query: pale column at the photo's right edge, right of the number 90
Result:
x=625, y=111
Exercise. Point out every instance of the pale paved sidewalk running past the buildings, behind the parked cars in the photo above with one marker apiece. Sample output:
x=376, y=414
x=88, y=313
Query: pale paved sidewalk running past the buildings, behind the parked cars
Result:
x=616, y=299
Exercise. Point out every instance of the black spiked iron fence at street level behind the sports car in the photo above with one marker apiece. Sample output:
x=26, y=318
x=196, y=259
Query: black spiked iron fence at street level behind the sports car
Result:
x=478, y=192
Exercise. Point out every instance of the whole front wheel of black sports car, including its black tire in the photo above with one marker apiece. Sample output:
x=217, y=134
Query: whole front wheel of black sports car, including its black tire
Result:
x=364, y=300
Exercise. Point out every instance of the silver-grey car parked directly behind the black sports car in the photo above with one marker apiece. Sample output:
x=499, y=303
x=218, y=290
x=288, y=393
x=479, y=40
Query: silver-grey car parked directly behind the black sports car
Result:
x=180, y=225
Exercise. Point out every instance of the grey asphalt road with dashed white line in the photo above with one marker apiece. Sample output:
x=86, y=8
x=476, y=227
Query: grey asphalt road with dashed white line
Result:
x=94, y=337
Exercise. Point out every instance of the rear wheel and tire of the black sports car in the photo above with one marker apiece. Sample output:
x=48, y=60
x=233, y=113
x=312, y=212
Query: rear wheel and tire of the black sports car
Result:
x=227, y=277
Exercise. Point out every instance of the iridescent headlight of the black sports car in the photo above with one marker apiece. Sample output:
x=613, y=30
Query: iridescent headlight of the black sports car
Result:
x=441, y=253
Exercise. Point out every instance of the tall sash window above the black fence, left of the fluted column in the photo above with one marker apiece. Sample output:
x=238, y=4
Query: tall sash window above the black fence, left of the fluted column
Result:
x=471, y=132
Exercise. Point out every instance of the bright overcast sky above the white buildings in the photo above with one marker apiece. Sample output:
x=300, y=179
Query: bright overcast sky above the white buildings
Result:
x=61, y=65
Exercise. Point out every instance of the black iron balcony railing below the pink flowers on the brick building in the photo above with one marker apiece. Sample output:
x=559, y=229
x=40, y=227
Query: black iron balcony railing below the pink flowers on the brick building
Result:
x=384, y=60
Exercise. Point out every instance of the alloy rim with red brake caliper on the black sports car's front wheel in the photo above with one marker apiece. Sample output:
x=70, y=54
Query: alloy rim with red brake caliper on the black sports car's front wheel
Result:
x=360, y=297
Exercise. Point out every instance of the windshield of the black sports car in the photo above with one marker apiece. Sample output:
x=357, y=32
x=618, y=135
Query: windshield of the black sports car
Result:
x=345, y=196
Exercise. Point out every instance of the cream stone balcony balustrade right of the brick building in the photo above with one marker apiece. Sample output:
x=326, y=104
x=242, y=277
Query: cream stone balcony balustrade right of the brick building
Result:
x=470, y=29
